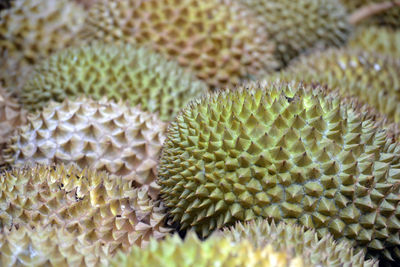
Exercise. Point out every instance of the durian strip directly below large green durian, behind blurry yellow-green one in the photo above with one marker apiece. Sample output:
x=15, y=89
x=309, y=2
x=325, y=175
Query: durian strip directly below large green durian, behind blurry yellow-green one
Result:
x=306, y=243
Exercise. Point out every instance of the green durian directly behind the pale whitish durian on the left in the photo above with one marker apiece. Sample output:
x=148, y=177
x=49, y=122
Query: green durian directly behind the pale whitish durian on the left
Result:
x=118, y=72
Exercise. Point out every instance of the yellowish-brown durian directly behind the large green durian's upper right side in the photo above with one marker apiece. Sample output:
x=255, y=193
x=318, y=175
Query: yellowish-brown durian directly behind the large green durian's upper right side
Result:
x=372, y=78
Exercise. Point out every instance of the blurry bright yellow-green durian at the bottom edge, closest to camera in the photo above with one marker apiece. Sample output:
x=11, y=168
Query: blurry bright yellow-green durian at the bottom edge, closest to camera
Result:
x=215, y=251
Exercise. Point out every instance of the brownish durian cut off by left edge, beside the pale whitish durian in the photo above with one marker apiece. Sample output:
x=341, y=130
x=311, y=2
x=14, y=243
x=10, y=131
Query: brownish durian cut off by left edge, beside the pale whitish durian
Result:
x=11, y=116
